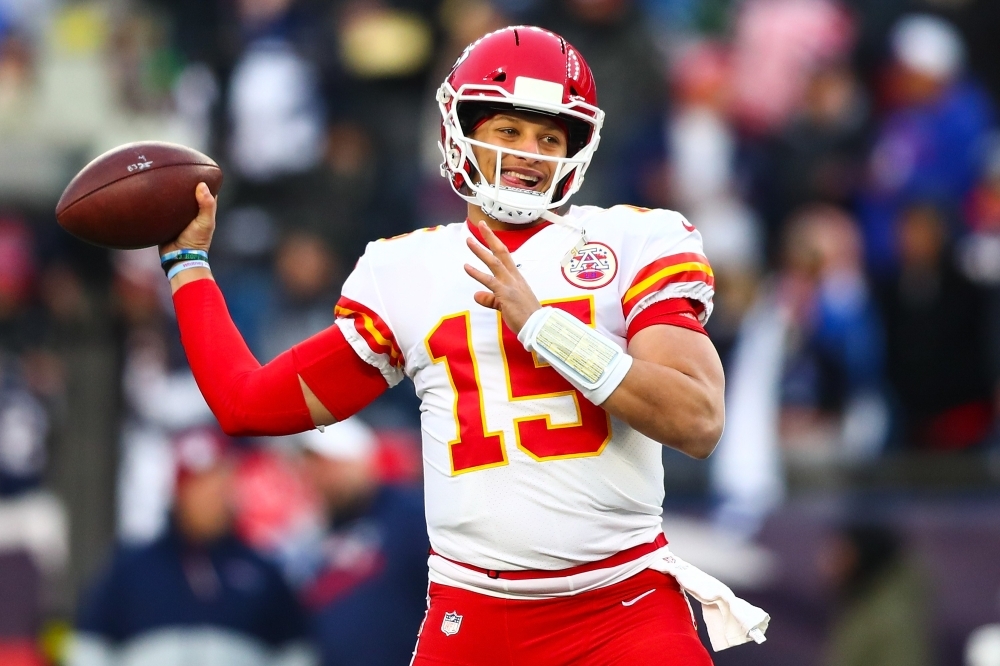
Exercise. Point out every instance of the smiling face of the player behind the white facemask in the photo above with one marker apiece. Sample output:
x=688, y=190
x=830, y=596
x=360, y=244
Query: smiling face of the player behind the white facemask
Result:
x=526, y=132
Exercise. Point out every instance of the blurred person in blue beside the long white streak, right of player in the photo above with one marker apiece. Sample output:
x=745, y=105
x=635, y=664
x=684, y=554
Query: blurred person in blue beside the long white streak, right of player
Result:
x=834, y=369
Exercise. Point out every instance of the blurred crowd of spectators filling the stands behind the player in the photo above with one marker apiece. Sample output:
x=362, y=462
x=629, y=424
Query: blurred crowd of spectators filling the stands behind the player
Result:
x=841, y=159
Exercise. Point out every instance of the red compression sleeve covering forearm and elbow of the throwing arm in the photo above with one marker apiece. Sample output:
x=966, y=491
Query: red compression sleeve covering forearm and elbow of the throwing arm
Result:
x=246, y=398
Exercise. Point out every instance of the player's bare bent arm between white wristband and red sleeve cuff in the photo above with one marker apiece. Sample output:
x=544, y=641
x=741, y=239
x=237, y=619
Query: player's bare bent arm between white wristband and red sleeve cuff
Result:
x=674, y=391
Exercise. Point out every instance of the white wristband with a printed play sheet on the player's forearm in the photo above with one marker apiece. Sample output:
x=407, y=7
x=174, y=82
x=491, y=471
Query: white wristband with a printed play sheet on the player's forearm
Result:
x=589, y=361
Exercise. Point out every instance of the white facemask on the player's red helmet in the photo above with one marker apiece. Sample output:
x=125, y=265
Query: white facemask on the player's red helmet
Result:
x=507, y=204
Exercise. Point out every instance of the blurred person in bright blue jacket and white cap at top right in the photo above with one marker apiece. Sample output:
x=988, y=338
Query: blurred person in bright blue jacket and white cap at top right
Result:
x=930, y=146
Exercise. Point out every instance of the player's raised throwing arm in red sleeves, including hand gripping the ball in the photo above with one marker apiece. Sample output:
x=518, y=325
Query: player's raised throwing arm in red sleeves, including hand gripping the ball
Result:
x=317, y=382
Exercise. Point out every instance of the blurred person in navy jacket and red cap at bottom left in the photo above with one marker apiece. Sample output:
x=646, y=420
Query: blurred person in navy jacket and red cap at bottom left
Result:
x=197, y=595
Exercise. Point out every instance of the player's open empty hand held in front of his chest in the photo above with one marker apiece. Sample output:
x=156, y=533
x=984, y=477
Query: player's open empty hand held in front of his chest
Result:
x=508, y=291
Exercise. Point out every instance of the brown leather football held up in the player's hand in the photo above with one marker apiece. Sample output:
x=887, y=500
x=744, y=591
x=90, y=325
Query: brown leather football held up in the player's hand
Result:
x=136, y=195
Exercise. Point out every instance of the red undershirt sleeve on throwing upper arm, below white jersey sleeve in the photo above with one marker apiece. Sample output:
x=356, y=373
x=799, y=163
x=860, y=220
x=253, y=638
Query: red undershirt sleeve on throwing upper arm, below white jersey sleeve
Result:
x=335, y=373
